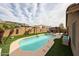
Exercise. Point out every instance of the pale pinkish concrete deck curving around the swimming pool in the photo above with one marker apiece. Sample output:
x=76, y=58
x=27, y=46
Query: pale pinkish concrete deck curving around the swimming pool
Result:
x=15, y=51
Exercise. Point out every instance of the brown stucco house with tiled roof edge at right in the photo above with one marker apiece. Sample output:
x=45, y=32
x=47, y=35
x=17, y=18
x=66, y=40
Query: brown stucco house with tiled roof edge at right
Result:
x=72, y=23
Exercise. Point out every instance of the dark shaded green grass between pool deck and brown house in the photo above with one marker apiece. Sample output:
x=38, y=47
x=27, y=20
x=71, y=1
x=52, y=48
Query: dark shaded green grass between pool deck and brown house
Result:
x=58, y=49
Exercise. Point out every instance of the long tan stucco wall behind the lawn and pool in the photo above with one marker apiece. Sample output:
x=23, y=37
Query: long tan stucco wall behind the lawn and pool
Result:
x=22, y=30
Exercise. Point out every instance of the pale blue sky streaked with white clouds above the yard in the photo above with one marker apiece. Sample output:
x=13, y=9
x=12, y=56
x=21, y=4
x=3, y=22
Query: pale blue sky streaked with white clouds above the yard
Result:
x=50, y=14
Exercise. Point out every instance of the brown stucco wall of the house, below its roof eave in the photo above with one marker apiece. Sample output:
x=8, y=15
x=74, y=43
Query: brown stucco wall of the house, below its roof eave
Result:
x=74, y=17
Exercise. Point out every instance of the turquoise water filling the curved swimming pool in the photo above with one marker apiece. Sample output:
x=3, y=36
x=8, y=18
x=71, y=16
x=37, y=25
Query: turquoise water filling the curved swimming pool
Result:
x=34, y=43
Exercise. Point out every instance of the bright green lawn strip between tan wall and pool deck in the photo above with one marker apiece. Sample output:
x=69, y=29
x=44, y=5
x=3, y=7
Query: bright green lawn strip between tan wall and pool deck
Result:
x=6, y=45
